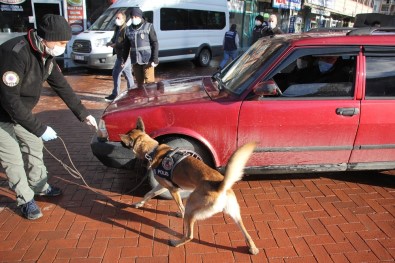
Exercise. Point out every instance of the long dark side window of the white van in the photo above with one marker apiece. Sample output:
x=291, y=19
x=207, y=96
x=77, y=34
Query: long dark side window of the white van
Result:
x=190, y=19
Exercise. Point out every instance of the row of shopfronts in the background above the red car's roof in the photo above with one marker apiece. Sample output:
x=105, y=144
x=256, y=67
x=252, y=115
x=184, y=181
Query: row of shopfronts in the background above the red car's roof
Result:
x=296, y=16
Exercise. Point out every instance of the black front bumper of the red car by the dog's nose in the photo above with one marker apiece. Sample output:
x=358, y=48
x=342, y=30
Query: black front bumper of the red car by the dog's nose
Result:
x=113, y=154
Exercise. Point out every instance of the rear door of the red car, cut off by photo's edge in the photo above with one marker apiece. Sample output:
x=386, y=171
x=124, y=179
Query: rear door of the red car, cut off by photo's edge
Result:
x=375, y=141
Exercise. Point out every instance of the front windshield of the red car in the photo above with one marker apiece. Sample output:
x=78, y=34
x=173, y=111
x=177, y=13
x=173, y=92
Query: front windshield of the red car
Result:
x=243, y=71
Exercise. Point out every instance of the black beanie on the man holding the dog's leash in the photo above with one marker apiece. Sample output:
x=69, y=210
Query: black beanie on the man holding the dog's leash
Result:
x=54, y=28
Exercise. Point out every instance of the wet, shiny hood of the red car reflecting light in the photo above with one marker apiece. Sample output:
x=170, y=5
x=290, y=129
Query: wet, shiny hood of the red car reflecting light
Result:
x=167, y=92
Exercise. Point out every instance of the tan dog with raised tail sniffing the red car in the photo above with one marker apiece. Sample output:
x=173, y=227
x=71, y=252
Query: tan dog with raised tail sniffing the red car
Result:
x=212, y=191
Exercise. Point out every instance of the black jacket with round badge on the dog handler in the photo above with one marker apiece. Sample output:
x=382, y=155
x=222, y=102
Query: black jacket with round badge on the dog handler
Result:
x=24, y=68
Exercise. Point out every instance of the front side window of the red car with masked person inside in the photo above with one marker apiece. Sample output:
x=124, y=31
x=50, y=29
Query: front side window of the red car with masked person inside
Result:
x=318, y=76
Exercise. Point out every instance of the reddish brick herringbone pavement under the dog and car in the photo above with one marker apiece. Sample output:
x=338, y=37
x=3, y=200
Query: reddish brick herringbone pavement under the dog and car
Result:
x=337, y=217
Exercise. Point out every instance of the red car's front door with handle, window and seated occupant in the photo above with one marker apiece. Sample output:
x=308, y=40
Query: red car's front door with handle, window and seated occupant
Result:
x=306, y=128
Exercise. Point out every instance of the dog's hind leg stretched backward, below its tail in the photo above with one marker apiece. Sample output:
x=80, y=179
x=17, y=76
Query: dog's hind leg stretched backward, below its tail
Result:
x=232, y=208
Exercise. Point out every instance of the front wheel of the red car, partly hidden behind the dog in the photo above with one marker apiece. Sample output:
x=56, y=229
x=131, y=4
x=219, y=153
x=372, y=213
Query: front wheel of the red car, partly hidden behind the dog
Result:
x=192, y=148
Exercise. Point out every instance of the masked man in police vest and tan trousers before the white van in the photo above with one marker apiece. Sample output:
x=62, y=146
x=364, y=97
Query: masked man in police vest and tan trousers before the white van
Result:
x=141, y=44
